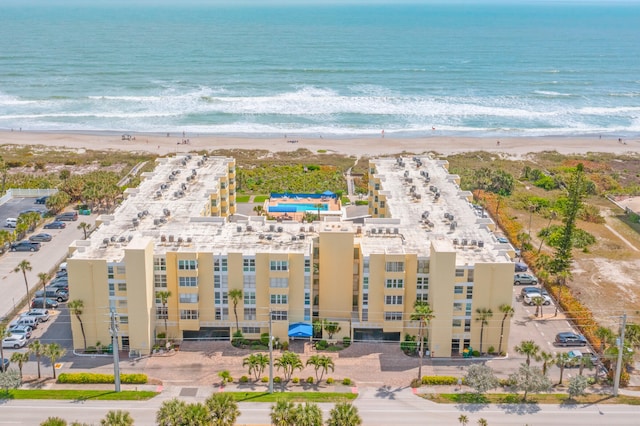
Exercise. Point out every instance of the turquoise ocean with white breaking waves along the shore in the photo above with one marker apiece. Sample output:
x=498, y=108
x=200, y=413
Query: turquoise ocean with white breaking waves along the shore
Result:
x=525, y=69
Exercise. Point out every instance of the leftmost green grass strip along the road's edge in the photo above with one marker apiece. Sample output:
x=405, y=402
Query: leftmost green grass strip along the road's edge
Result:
x=76, y=394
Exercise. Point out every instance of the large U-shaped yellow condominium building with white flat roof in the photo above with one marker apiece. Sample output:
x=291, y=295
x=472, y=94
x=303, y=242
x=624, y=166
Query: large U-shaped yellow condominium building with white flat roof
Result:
x=179, y=233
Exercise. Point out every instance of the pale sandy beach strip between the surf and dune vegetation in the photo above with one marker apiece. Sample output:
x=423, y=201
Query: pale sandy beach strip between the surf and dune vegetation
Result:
x=358, y=147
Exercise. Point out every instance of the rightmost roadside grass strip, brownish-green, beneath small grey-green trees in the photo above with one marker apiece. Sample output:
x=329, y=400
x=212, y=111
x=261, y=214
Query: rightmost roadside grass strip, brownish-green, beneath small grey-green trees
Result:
x=546, y=398
